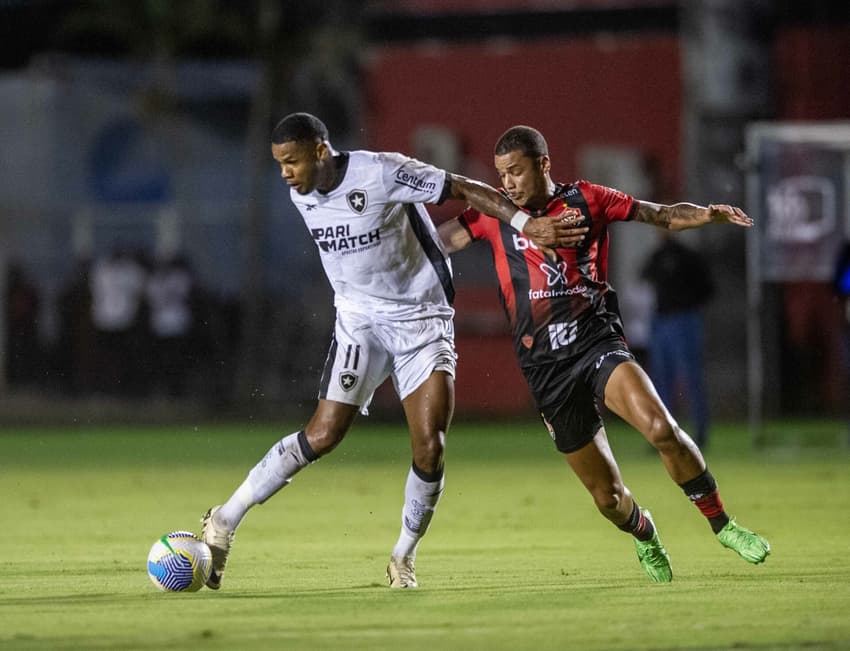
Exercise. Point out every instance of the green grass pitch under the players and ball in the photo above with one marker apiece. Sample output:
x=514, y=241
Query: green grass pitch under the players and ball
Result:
x=517, y=556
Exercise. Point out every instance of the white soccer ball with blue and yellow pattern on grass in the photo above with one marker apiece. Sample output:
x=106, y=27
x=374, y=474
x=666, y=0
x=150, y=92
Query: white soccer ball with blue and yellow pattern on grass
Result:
x=179, y=562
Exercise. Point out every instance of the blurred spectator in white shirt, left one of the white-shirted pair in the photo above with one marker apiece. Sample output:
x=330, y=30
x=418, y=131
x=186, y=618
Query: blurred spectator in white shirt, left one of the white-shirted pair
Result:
x=117, y=284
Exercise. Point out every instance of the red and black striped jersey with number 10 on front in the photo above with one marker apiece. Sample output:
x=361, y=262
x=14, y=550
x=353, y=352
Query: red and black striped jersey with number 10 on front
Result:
x=557, y=306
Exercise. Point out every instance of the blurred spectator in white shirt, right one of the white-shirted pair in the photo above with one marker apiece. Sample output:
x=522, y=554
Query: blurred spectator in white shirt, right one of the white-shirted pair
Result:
x=172, y=312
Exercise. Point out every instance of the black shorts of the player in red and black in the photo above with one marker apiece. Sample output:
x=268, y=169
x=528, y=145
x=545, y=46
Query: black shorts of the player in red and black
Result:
x=567, y=391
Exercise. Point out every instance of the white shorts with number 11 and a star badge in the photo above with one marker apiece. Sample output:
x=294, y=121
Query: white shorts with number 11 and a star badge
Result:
x=366, y=351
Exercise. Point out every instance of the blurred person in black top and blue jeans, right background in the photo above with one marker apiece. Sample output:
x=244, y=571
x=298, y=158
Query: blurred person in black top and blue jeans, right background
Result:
x=683, y=284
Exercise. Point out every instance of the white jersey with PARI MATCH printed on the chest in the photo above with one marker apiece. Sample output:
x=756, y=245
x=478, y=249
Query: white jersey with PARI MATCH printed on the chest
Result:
x=378, y=245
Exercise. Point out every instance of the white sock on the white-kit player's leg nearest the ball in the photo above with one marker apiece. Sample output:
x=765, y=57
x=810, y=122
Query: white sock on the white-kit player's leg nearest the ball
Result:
x=273, y=472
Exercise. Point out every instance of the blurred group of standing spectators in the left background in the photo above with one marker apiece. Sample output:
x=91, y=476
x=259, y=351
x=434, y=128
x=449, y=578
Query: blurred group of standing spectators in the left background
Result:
x=128, y=326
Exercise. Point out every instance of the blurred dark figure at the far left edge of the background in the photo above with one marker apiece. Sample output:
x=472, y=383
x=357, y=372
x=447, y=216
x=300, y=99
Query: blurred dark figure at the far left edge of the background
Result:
x=23, y=349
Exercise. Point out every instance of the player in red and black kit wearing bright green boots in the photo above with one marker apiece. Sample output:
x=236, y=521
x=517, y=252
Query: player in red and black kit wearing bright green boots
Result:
x=569, y=340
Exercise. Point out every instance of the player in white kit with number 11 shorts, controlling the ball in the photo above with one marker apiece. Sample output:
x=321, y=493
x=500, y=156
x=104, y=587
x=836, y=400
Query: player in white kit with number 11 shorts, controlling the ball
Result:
x=393, y=292
